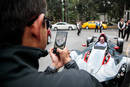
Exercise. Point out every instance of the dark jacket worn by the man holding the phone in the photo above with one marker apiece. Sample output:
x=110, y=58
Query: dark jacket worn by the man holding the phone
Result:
x=19, y=68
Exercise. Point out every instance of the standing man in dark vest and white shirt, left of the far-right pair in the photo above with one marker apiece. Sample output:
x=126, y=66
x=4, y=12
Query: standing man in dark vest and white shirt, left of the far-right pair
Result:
x=121, y=27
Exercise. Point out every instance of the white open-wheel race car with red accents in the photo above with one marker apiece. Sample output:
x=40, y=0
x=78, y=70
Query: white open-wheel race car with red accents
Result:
x=105, y=63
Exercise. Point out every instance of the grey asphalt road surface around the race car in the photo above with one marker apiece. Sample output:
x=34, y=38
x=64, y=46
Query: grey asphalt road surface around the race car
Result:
x=75, y=42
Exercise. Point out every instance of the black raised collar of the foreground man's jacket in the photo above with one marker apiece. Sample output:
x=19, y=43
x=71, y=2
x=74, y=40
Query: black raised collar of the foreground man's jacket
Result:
x=22, y=54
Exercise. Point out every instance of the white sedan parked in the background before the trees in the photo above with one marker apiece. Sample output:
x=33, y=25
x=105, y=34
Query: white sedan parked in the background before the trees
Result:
x=63, y=25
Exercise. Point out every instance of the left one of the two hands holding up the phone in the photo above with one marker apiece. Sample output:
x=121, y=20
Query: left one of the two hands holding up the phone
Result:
x=56, y=61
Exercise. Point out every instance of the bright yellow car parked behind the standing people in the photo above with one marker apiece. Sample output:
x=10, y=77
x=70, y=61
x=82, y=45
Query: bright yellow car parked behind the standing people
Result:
x=92, y=25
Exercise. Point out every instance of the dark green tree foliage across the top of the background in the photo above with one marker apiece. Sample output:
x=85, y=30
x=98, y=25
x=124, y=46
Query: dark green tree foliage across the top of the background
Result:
x=85, y=10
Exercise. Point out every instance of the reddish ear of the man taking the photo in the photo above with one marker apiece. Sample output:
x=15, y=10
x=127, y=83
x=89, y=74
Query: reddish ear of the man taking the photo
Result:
x=36, y=26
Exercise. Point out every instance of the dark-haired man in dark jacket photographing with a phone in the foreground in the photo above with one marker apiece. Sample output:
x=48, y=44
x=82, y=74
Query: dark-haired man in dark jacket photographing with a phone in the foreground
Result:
x=23, y=39
